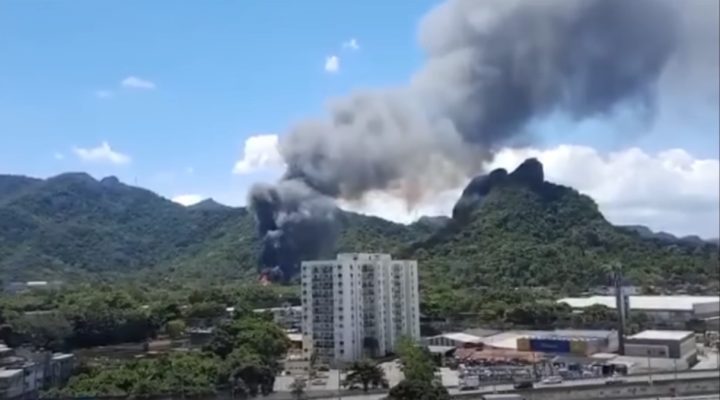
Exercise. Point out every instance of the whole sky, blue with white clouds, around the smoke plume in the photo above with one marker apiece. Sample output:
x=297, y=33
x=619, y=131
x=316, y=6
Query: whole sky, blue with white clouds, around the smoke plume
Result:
x=190, y=99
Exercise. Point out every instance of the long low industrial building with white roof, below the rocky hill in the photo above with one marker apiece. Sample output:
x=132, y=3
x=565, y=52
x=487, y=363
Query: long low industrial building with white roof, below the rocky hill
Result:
x=672, y=310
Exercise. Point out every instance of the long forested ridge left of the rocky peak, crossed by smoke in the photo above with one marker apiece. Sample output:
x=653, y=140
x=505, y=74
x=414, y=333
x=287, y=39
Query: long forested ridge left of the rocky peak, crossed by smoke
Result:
x=72, y=226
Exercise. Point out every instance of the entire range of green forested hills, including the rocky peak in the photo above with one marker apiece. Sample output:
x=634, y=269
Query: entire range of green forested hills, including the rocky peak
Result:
x=508, y=228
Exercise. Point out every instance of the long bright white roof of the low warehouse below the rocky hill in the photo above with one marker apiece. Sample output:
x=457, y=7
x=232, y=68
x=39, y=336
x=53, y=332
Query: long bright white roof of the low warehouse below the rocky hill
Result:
x=675, y=303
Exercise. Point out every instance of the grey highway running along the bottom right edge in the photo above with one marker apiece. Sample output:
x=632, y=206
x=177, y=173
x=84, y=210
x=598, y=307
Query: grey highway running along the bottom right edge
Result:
x=580, y=382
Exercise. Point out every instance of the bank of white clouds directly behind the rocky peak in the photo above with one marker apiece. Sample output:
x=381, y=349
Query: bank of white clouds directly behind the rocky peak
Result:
x=669, y=191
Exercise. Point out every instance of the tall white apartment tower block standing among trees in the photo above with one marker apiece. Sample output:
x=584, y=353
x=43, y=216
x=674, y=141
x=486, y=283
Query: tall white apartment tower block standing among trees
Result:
x=358, y=304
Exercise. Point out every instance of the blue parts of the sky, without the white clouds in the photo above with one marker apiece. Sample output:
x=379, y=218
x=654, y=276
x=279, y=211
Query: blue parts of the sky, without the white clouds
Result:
x=202, y=77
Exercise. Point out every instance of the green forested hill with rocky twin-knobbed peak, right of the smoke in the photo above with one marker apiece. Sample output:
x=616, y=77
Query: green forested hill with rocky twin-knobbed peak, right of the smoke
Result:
x=518, y=229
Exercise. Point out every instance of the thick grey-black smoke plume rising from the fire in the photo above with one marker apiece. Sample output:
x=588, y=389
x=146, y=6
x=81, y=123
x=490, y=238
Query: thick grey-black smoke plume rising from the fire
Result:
x=491, y=68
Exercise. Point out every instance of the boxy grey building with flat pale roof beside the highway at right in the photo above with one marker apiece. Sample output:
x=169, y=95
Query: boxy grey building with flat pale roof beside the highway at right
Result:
x=663, y=344
